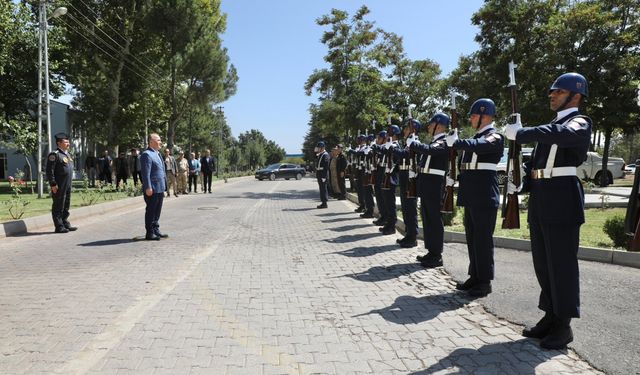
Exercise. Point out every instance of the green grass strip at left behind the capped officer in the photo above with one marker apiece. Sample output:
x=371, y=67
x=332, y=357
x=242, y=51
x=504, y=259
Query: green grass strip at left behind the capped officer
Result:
x=42, y=206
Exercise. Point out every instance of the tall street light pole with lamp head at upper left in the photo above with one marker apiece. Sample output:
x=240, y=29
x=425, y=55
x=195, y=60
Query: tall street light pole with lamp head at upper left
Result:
x=43, y=93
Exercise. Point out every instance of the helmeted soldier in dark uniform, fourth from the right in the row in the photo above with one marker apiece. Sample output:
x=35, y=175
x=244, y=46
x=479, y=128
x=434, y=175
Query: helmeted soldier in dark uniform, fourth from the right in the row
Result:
x=409, y=205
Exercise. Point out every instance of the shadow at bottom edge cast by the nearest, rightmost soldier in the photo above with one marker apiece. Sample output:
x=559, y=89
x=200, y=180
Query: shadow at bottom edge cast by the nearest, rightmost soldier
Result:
x=516, y=357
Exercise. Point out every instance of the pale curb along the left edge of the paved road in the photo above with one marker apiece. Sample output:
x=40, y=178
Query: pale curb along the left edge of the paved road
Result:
x=23, y=226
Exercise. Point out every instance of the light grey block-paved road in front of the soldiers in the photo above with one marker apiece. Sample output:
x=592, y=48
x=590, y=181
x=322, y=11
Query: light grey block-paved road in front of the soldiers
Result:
x=254, y=280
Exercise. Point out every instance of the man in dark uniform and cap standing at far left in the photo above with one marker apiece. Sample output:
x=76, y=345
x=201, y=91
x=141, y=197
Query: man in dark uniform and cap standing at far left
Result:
x=59, y=176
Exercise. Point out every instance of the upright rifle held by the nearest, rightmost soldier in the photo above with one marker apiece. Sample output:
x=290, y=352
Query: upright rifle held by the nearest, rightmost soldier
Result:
x=510, y=205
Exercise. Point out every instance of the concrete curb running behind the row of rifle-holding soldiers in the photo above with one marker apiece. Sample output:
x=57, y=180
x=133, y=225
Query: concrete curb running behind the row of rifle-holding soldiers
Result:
x=594, y=254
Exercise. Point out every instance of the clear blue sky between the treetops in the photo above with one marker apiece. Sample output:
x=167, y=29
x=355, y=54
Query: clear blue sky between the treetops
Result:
x=275, y=45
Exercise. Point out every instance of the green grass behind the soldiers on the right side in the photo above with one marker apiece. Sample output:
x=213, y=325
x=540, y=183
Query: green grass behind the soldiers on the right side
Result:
x=591, y=233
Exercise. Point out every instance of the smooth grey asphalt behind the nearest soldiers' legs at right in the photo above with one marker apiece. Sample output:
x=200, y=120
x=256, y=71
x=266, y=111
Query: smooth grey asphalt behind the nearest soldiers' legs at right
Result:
x=607, y=335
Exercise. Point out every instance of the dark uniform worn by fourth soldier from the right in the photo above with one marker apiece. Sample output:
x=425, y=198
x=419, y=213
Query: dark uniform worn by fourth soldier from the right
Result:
x=408, y=205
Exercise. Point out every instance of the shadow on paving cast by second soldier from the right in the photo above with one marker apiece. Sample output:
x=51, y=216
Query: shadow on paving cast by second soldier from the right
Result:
x=415, y=310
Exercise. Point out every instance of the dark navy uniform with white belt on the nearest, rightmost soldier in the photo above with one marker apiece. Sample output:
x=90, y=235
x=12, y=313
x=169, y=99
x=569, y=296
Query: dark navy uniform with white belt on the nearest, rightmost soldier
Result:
x=556, y=208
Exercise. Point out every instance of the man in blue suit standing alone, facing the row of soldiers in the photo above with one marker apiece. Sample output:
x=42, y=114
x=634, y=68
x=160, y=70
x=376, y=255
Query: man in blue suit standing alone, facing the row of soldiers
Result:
x=154, y=186
